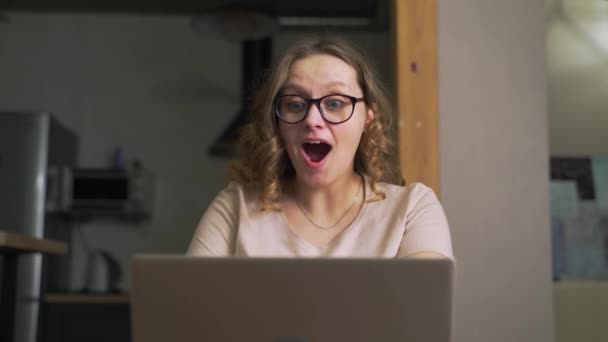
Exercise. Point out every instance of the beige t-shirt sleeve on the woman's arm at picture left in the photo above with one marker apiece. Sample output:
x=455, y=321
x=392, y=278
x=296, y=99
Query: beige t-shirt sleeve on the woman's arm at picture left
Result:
x=216, y=232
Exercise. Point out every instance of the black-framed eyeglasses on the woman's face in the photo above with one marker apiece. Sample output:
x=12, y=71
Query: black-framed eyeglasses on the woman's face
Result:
x=334, y=108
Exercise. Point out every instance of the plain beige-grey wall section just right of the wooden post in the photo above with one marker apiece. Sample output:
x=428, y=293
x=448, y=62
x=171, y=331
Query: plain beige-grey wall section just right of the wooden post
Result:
x=494, y=167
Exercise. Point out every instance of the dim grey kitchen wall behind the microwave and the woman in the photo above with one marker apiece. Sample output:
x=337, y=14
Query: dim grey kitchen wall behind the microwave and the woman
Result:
x=147, y=84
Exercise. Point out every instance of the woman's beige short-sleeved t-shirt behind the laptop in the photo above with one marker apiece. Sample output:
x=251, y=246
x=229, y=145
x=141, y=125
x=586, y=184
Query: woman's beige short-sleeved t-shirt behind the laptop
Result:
x=408, y=221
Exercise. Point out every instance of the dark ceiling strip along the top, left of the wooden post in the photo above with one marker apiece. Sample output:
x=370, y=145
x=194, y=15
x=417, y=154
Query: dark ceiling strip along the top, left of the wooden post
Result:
x=367, y=15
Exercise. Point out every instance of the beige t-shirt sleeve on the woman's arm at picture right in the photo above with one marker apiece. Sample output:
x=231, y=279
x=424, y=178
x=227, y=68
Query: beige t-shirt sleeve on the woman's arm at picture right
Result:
x=426, y=227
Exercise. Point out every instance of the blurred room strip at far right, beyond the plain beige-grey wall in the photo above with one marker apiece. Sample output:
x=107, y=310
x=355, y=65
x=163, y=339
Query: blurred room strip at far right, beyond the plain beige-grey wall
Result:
x=577, y=74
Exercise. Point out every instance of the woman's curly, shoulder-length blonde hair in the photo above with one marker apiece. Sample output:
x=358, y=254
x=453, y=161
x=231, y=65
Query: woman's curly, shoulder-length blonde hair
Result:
x=264, y=162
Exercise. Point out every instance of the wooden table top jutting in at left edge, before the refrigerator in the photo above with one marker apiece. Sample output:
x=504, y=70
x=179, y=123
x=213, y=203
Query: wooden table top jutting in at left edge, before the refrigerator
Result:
x=18, y=243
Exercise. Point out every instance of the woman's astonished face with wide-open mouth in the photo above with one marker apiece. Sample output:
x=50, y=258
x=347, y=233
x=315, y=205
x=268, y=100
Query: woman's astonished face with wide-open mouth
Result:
x=321, y=152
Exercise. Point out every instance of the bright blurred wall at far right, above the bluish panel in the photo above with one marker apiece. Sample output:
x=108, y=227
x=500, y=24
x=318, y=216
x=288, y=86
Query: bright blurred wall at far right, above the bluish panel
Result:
x=577, y=64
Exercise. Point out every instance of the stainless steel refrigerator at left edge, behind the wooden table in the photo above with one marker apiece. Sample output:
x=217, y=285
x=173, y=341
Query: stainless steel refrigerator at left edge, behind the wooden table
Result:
x=32, y=144
